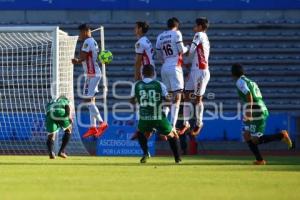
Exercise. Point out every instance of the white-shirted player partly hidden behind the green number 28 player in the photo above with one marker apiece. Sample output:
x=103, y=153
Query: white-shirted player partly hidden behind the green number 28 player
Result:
x=143, y=49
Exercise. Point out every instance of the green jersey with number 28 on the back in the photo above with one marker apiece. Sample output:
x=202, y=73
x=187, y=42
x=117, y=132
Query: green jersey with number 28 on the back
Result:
x=149, y=94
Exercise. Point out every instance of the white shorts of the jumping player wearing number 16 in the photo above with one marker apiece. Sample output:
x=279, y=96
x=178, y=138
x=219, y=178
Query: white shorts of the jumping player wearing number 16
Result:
x=172, y=77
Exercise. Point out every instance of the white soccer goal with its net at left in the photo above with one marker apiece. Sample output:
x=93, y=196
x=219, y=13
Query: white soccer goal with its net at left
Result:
x=35, y=66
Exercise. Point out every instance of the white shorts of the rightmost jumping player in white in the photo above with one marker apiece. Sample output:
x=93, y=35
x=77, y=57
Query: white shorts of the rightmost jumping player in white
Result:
x=198, y=80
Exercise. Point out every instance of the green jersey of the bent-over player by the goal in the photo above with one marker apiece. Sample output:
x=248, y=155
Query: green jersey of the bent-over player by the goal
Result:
x=57, y=108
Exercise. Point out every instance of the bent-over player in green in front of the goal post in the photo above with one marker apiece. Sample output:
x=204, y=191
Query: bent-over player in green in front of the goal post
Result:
x=58, y=117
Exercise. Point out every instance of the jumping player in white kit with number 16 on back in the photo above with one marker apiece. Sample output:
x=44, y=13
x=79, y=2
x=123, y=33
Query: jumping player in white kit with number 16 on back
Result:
x=170, y=48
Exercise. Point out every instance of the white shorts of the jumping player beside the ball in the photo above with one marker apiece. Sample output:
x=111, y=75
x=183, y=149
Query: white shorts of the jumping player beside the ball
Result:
x=90, y=87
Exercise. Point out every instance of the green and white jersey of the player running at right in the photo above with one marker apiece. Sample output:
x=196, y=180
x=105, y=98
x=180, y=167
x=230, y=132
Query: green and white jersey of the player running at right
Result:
x=244, y=86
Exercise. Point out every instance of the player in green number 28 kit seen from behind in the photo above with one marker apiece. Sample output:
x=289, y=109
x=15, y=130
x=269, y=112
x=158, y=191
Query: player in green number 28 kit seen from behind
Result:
x=150, y=95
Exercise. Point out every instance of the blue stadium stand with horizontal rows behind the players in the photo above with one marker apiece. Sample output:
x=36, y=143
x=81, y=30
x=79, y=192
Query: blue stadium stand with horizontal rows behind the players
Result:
x=269, y=51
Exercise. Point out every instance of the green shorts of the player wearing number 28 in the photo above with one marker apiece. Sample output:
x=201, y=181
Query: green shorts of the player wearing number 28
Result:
x=163, y=126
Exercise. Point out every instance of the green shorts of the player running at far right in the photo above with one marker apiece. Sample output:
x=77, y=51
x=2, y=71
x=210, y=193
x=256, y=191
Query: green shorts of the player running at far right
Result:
x=257, y=127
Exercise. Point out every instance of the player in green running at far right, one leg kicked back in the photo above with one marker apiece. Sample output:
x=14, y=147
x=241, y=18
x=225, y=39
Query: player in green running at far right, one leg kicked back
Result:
x=256, y=114
